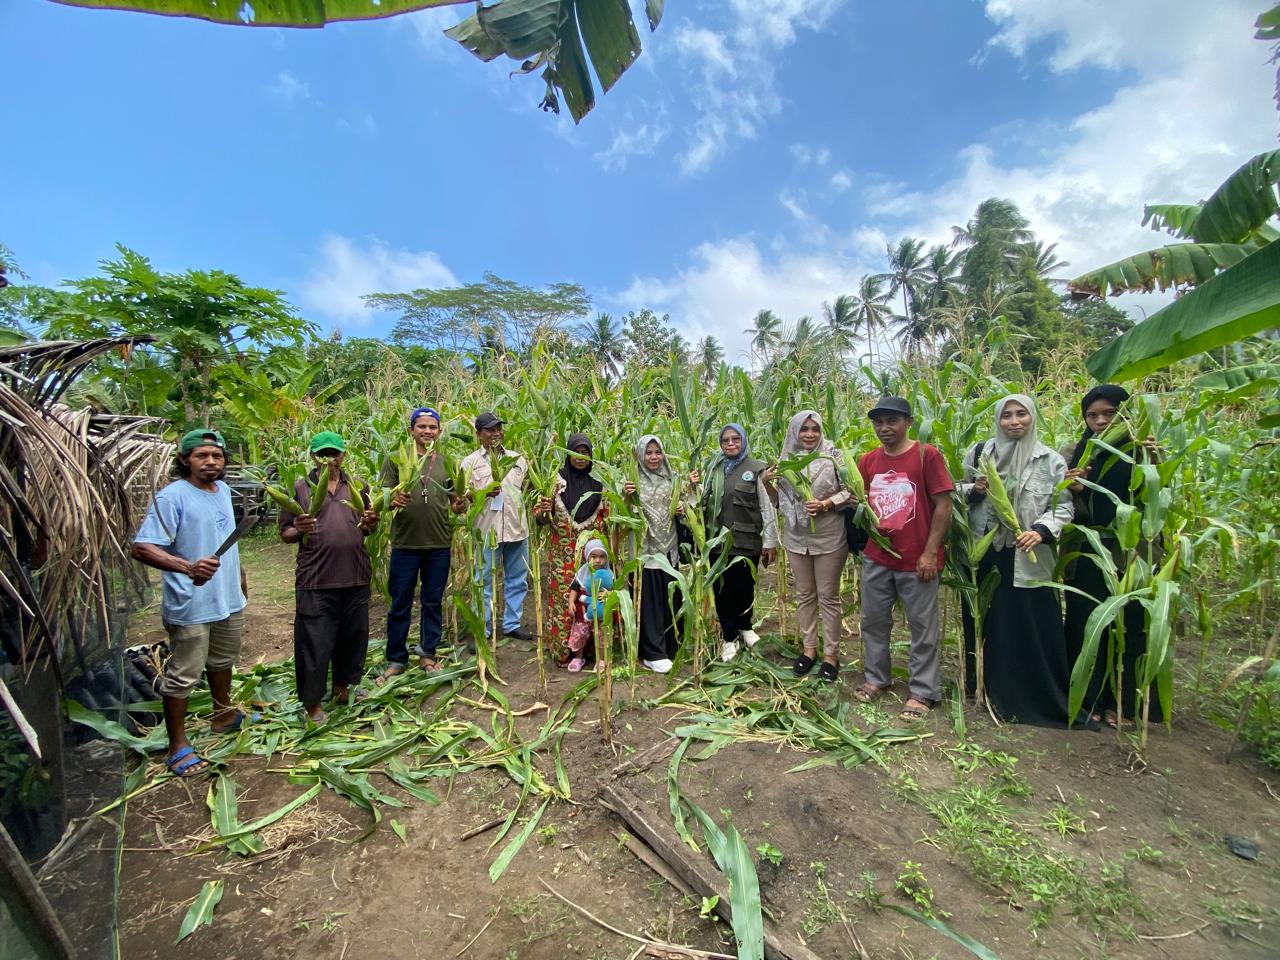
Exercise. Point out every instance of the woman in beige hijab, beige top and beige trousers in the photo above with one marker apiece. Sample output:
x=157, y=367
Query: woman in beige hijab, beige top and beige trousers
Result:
x=813, y=536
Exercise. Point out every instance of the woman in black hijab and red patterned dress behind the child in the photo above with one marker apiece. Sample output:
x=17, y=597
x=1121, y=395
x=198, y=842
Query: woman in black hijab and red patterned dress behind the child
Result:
x=575, y=509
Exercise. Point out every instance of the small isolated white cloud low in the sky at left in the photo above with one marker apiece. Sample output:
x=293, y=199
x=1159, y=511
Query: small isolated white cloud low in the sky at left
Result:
x=349, y=269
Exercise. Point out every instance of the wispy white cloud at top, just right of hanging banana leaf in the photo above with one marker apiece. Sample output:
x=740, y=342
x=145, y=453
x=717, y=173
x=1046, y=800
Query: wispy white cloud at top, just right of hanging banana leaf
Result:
x=733, y=72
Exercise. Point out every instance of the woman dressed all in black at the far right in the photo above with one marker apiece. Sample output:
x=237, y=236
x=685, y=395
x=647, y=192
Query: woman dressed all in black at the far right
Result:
x=1098, y=511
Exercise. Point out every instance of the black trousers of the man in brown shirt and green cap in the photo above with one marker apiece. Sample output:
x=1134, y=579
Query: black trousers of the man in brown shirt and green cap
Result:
x=331, y=633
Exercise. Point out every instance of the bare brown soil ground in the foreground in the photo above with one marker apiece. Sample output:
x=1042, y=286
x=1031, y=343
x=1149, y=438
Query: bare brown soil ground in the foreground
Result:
x=1149, y=840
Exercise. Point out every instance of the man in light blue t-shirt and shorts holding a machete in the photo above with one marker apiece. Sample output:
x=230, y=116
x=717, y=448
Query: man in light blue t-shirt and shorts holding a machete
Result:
x=203, y=604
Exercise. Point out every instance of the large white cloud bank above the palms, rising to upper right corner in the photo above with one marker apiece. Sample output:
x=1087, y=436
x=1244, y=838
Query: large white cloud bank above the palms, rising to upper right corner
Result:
x=1169, y=135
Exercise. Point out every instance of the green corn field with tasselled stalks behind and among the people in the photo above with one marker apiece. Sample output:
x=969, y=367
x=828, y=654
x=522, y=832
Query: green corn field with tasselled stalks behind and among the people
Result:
x=1210, y=502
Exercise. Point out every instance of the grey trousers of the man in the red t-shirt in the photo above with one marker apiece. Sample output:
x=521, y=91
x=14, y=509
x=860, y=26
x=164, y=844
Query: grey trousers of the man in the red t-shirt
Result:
x=881, y=587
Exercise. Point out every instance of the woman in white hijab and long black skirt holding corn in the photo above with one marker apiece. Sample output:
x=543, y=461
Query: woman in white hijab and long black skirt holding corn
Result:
x=1025, y=648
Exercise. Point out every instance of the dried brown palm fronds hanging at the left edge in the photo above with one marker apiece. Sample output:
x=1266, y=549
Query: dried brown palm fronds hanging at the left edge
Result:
x=72, y=488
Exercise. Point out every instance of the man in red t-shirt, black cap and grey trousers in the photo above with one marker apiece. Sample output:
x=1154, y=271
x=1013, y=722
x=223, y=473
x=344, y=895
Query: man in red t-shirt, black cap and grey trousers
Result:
x=909, y=492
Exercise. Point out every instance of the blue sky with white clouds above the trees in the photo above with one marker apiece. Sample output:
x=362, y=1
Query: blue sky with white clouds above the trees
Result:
x=760, y=154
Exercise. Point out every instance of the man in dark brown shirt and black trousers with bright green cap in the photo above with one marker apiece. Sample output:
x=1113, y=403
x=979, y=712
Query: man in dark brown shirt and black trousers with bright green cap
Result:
x=331, y=620
